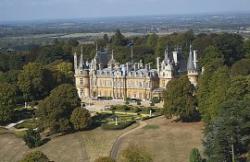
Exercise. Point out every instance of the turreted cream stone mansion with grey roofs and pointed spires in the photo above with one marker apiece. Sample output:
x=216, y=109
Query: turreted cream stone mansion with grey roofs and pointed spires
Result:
x=104, y=77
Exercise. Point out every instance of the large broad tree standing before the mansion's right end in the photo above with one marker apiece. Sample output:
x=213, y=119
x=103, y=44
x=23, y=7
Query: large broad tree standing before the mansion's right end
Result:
x=179, y=99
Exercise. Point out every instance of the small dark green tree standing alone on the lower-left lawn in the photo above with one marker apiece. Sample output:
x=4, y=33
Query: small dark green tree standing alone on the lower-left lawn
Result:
x=32, y=138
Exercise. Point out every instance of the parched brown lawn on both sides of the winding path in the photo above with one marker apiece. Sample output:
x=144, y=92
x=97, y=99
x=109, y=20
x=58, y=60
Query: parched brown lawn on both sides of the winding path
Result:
x=167, y=141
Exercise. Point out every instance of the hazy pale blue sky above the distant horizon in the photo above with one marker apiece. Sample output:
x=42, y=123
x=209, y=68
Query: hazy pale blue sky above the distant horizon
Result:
x=11, y=10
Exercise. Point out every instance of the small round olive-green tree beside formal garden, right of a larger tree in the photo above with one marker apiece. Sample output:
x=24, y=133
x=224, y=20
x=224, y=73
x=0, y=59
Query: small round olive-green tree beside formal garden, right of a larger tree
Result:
x=80, y=118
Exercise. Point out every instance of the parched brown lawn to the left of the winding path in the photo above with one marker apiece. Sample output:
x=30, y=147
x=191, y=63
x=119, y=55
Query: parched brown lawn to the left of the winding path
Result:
x=76, y=147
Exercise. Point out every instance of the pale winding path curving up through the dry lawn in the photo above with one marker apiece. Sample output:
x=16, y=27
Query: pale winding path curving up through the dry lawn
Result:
x=118, y=141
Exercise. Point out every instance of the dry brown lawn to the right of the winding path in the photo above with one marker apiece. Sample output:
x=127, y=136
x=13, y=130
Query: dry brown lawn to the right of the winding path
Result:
x=167, y=141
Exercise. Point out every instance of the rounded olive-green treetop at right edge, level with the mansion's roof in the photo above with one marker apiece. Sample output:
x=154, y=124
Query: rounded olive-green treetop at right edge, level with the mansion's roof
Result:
x=241, y=67
